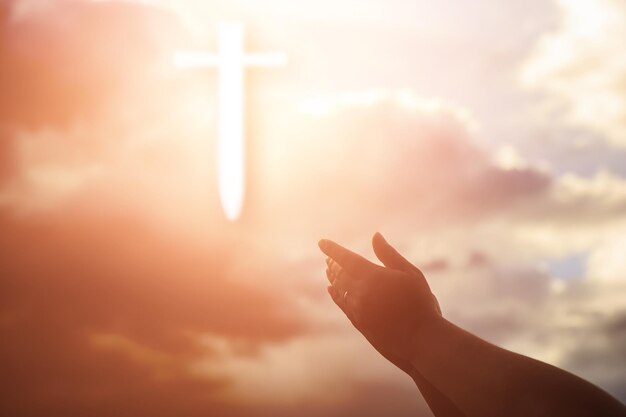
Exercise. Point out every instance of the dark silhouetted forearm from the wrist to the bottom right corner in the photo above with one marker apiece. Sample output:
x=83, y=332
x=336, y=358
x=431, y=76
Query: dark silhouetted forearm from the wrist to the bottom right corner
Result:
x=484, y=380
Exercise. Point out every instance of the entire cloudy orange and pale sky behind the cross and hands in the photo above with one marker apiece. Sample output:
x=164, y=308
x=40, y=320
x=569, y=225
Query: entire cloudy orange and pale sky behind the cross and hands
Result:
x=485, y=139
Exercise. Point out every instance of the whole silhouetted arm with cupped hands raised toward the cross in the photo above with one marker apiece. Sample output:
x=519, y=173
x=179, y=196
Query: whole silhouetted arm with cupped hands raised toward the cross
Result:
x=457, y=372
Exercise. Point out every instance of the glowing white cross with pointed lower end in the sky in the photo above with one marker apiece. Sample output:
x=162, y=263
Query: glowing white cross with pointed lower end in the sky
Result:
x=230, y=60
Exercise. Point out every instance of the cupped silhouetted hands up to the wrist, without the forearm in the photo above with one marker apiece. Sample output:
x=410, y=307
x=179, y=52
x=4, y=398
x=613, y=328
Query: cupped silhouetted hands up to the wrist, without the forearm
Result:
x=389, y=305
